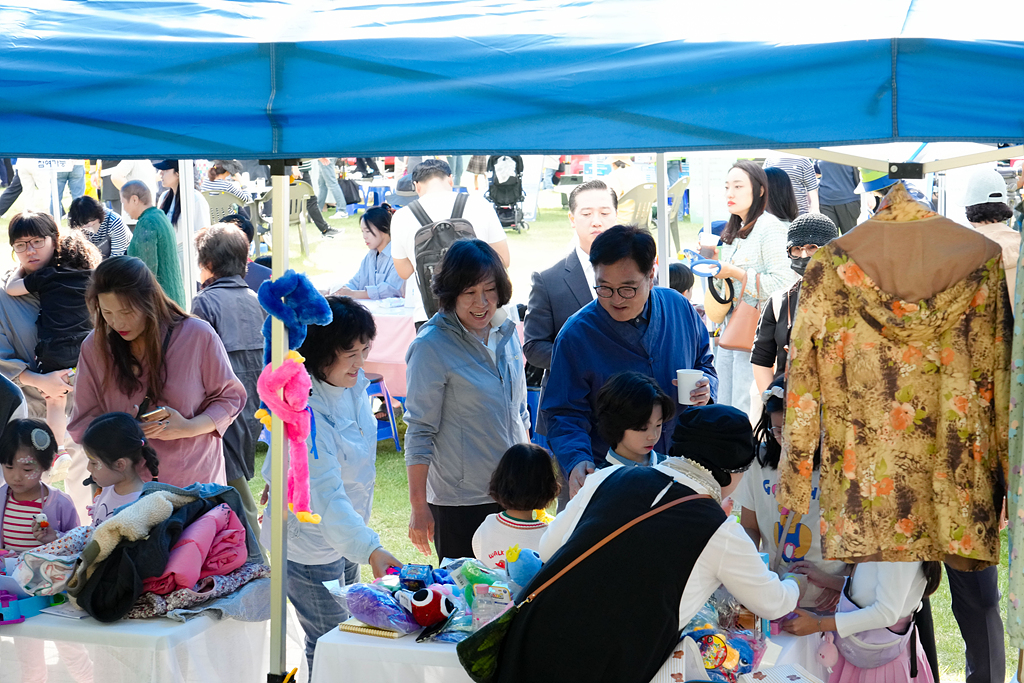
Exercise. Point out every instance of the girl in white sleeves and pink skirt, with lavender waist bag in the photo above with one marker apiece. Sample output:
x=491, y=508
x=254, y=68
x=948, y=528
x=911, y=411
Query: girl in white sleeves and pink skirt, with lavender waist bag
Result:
x=875, y=630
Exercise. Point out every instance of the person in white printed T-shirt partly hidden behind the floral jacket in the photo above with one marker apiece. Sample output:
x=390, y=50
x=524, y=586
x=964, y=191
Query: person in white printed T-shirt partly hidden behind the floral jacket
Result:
x=771, y=526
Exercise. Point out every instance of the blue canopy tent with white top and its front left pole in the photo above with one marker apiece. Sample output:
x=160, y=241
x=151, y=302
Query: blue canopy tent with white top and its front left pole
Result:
x=285, y=79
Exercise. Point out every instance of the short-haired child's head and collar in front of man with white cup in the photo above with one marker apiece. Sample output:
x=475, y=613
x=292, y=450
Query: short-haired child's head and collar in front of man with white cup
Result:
x=631, y=412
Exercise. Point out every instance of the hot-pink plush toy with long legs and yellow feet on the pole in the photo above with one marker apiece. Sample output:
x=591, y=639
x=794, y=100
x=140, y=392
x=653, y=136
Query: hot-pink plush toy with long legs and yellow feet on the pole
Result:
x=293, y=381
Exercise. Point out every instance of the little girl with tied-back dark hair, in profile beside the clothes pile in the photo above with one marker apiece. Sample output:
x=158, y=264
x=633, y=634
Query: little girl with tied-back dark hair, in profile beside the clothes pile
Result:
x=118, y=452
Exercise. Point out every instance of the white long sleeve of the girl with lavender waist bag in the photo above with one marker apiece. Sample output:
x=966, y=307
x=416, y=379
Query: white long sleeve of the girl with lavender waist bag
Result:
x=889, y=592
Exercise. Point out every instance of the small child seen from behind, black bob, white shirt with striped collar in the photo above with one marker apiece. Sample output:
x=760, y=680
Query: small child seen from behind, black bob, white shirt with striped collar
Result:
x=524, y=484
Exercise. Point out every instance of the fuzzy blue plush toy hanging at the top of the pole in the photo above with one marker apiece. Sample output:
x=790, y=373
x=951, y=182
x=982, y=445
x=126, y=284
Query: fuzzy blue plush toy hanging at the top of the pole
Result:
x=293, y=301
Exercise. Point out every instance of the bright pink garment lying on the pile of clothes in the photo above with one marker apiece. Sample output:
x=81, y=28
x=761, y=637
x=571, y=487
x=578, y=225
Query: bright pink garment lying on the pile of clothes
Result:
x=185, y=565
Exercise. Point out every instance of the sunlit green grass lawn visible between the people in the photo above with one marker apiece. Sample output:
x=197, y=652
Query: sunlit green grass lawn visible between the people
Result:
x=546, y=242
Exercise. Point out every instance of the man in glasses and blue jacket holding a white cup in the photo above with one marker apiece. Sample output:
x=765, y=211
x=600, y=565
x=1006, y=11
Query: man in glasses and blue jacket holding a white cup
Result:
x=632, y=326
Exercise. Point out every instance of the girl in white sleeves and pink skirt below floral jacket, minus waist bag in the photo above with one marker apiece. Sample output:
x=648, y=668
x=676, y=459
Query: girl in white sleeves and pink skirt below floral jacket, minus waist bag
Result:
x=878, y=595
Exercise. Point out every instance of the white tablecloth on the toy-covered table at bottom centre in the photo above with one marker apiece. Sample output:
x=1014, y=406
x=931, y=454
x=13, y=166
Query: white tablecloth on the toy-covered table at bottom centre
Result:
x=353, y=658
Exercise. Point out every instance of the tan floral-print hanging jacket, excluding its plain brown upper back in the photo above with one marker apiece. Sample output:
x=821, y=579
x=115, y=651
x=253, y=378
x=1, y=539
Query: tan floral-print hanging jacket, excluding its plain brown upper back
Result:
x=912, y=402
